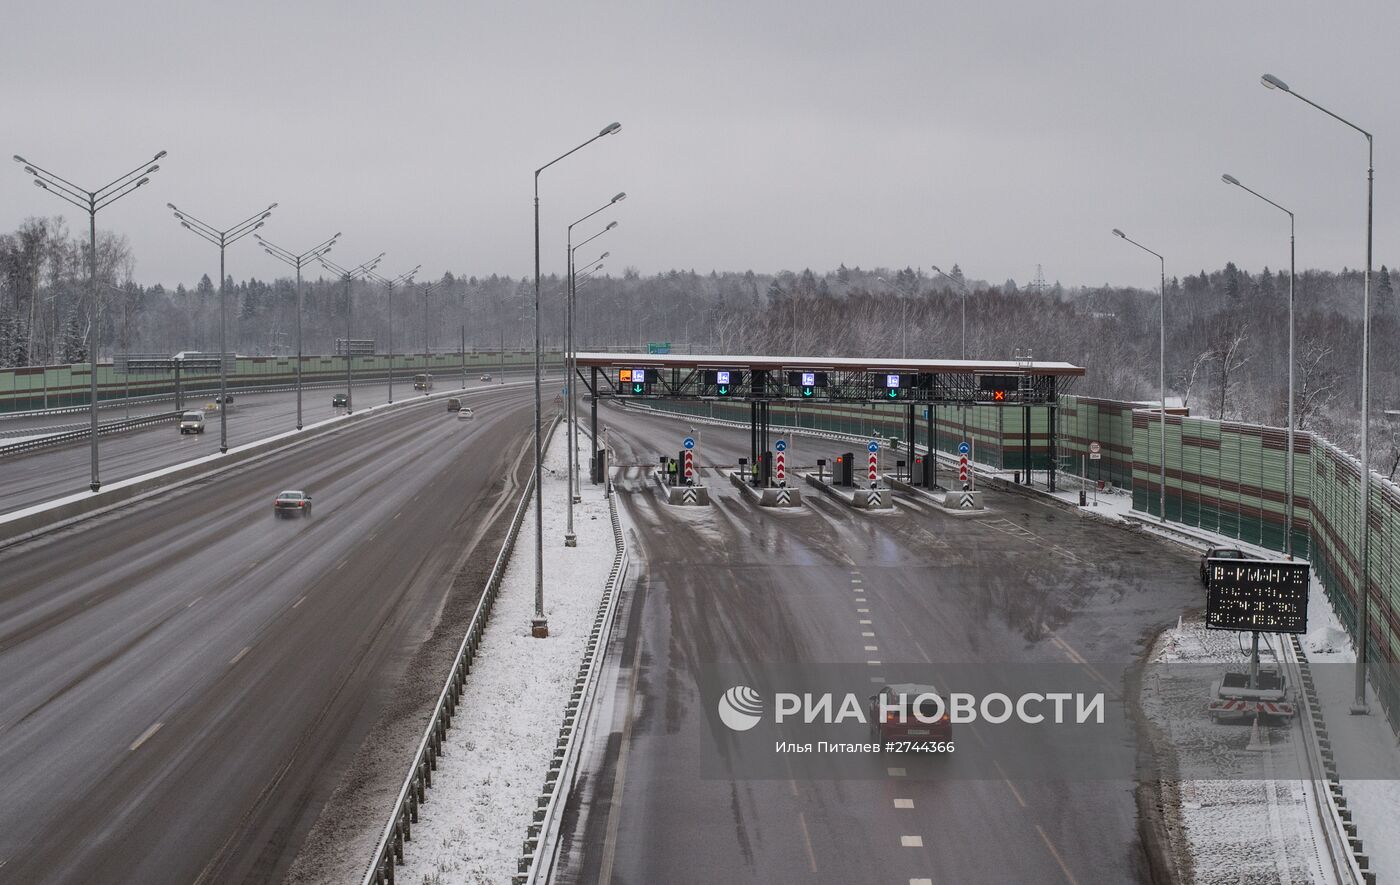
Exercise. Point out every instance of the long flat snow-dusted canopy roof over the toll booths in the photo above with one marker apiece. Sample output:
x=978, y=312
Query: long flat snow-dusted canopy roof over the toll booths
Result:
x=715, y=361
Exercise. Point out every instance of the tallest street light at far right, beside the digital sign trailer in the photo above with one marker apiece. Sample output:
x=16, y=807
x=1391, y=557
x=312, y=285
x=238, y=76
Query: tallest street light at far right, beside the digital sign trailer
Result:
x=1359, y=706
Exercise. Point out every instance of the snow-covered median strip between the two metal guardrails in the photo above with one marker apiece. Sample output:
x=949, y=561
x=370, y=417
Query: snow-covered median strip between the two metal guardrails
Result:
x=499, y=750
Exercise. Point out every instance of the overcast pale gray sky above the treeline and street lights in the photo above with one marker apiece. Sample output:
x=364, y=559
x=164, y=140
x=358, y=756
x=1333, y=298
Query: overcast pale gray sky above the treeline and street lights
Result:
x=757, y=135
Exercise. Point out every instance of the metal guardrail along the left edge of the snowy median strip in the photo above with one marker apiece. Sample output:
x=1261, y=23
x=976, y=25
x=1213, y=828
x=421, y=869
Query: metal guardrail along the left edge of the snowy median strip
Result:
x=405, y=813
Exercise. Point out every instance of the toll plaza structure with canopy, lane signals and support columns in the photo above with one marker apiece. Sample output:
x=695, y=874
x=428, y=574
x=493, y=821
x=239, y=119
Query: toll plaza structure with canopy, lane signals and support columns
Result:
x=764, y=380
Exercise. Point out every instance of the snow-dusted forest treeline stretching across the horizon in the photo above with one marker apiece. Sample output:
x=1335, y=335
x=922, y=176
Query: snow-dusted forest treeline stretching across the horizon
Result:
x=1227, y=330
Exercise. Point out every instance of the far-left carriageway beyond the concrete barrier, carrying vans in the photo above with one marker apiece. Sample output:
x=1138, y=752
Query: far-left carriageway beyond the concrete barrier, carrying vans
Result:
x=52, y=473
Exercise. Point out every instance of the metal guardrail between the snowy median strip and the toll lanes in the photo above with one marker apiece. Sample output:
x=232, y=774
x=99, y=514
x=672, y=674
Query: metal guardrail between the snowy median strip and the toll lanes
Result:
x=541, y=849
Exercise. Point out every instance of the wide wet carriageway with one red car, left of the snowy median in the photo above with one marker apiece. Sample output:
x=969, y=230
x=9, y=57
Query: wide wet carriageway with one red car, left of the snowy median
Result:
x=181, y=680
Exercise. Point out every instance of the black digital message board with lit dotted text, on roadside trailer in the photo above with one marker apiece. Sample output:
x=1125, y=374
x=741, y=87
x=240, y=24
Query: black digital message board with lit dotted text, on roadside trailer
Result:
x=1249, y=594
